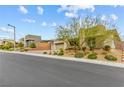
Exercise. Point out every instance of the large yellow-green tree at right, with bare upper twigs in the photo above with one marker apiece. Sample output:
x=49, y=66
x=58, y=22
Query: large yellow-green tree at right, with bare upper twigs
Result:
x=94, y=32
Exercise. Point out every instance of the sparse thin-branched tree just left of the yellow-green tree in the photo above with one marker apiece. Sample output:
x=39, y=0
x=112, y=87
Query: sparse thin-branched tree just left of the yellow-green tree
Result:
x=69, y=33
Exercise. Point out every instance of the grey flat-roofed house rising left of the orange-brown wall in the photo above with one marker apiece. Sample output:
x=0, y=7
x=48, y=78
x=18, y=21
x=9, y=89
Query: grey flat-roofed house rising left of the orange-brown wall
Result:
x=28, y=39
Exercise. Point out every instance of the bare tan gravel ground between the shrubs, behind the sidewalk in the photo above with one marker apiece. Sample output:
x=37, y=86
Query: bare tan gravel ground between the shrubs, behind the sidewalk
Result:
x=100, y=53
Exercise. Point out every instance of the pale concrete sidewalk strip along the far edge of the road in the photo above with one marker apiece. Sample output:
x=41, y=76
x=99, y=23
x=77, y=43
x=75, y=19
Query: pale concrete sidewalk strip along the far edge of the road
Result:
x=108, y=63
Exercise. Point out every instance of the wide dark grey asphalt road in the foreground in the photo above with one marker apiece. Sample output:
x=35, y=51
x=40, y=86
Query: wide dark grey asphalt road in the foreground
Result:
x=18, y=70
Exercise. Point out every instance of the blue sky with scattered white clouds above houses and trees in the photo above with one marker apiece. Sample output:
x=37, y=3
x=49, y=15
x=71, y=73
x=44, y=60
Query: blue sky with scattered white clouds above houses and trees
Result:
x=42, y=20
